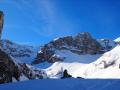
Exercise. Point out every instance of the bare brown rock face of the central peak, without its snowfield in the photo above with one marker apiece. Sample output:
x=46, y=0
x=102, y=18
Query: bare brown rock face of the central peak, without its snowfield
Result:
x=83, y=43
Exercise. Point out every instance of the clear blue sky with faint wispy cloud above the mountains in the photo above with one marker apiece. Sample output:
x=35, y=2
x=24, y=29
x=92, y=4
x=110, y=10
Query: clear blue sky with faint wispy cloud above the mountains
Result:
x=37, y=22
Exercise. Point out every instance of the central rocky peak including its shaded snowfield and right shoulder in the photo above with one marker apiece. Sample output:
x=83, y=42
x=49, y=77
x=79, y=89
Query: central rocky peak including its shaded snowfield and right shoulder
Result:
x=76, y=46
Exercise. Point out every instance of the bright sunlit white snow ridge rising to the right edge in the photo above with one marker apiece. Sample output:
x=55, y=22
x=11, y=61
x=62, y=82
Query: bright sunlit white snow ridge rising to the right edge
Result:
x=106, y=67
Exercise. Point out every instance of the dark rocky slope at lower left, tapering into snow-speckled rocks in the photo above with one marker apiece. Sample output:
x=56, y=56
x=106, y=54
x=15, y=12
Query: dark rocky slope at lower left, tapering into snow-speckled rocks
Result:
x=11, y=71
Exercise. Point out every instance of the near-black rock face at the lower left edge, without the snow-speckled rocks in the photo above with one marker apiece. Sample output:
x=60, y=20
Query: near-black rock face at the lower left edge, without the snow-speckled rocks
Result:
x=8, y=68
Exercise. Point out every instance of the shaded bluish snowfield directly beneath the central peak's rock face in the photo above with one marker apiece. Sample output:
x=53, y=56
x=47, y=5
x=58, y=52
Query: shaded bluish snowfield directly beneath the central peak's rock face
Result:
x=73, y=57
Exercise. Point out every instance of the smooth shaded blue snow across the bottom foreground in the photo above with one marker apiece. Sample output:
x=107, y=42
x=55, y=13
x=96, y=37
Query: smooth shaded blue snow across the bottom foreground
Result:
x=64, y=84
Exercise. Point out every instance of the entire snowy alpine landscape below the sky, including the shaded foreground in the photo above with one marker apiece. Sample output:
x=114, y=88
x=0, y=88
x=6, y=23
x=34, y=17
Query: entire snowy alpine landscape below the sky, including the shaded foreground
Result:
x=78, y=62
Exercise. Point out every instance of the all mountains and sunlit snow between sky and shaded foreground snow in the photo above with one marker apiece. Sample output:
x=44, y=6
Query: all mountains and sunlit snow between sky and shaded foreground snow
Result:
x=81, y=56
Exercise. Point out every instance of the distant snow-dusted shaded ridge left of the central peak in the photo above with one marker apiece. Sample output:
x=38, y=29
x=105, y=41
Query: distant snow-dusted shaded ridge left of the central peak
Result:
x=22, y=53
